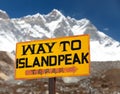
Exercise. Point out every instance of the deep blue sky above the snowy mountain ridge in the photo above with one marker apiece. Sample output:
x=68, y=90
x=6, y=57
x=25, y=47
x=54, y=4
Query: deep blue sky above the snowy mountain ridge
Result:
x=104, y=14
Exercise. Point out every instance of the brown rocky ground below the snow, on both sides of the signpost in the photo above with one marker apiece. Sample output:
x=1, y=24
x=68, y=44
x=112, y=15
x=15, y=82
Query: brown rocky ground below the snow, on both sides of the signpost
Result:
x=100, y=80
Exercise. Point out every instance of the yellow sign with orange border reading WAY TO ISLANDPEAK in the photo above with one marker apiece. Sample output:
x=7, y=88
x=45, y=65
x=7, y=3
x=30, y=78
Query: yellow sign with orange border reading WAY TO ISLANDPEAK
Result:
x=57, y=57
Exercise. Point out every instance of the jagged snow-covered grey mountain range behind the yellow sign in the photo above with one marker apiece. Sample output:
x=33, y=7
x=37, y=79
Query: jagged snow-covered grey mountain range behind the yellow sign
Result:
x=55, y=24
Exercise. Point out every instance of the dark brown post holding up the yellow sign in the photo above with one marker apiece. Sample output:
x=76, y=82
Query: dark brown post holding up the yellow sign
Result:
x=52, y=82
